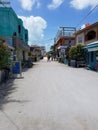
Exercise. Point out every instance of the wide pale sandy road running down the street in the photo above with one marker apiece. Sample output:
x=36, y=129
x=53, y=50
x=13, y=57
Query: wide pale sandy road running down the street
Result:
x=51, y=96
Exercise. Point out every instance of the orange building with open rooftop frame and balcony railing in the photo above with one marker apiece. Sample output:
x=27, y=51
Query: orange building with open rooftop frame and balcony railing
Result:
x=64, y=38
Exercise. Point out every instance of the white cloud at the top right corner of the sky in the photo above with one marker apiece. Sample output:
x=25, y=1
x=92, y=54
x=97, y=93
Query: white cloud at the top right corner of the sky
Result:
x=81, y=4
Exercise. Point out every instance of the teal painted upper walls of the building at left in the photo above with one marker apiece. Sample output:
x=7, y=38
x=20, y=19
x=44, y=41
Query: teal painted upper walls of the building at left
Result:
x=11, y=25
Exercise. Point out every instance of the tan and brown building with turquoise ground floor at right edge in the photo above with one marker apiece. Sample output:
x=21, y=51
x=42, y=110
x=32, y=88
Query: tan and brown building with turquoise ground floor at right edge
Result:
x=88, y=36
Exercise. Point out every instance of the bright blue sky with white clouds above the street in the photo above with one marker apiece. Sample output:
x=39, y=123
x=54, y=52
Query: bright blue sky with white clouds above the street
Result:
x=44, y=17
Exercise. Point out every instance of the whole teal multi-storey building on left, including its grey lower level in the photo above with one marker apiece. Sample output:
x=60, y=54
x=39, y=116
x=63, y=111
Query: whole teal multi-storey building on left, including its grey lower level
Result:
x=14, y=33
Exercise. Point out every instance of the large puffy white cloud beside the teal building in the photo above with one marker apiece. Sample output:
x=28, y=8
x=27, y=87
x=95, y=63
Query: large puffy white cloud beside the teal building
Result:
x=35, y=26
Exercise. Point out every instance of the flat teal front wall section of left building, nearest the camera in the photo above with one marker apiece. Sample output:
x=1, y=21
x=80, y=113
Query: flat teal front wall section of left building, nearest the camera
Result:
x=8, y=22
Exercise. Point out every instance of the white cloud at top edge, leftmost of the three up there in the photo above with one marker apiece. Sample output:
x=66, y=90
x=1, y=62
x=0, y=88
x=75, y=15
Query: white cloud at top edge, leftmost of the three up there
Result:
x=28, y=4
